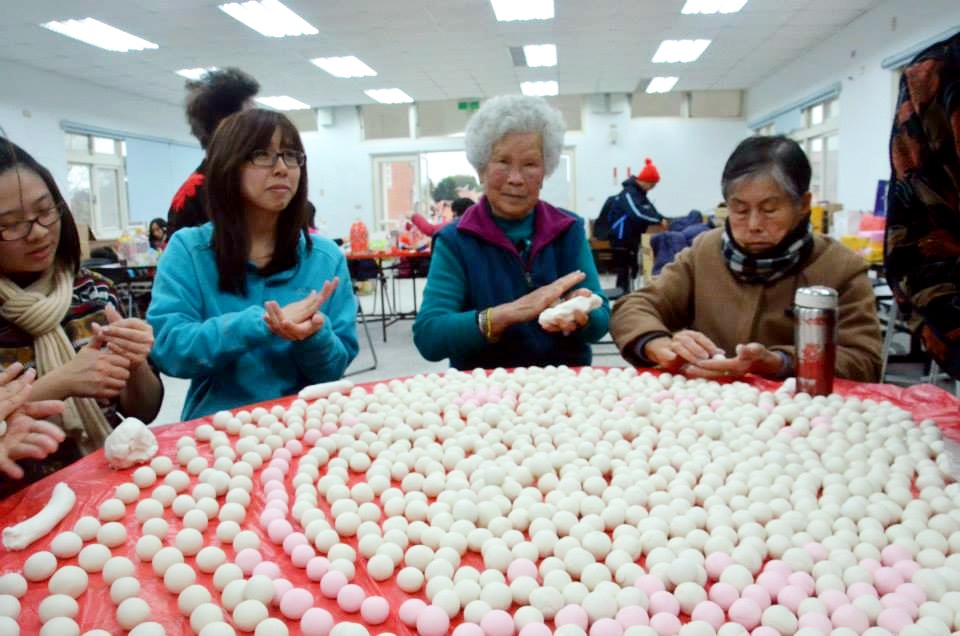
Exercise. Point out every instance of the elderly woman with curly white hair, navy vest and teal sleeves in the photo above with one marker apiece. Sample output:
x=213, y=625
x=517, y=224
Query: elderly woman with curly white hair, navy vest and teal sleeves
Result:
x=512, y=255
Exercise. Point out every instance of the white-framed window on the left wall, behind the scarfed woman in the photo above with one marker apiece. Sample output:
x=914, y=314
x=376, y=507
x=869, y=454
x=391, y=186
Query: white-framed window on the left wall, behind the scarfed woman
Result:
x=97, y=183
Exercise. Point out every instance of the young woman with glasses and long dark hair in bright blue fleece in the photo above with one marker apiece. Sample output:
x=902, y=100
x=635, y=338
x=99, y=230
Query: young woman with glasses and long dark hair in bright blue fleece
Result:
x=251, y=307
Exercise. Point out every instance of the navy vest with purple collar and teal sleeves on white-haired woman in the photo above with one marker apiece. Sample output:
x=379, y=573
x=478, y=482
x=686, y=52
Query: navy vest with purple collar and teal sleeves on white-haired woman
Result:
x=476, y=264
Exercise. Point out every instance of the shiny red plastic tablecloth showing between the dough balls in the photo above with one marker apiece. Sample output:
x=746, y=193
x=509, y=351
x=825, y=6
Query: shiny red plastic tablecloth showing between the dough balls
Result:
x=94, y=482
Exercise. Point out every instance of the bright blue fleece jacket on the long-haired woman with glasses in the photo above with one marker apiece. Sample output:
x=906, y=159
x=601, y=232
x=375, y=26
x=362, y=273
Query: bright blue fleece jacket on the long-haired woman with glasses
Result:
x=221, y=342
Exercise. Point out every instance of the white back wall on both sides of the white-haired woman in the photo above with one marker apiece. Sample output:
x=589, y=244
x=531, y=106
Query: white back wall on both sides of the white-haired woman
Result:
x=689, y=153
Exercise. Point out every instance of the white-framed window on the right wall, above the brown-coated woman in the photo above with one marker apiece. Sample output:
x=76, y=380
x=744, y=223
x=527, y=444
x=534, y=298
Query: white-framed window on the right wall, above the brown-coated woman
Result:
x=820, y=139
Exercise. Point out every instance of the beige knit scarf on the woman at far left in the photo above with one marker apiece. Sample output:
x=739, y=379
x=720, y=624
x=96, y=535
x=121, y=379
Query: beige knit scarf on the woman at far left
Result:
x=38, y=310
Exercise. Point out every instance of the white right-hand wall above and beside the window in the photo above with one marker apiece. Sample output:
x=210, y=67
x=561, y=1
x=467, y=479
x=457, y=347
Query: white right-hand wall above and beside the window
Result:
x=868, y=95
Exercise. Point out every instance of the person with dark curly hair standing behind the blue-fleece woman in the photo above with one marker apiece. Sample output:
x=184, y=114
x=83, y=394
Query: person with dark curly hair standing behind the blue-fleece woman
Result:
x=210, y=99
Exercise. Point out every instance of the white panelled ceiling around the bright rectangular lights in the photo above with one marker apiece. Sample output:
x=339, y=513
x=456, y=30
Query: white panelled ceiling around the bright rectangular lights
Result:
x=432, y=49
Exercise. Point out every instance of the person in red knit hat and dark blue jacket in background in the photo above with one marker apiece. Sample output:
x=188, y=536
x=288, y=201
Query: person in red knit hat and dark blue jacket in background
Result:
x=627, y=215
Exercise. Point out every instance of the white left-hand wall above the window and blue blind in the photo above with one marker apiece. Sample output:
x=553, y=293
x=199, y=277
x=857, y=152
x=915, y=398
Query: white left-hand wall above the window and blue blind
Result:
x=34, y=102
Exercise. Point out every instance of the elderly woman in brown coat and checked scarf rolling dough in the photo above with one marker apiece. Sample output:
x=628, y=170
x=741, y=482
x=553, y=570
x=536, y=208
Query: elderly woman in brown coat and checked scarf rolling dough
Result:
x=723, y=308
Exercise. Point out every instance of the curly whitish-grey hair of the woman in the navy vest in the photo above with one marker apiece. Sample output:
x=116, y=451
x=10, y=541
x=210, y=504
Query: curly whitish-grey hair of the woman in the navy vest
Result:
x=506, y=114
